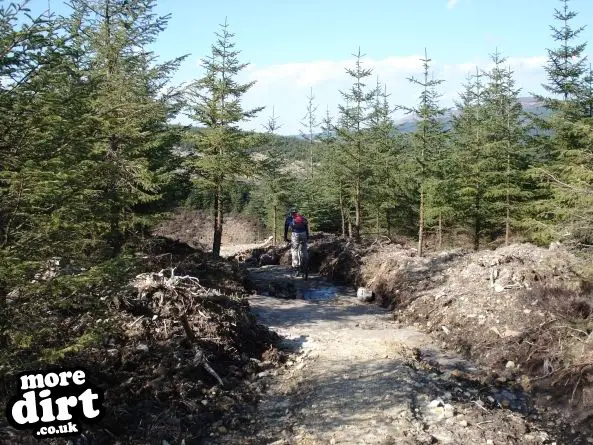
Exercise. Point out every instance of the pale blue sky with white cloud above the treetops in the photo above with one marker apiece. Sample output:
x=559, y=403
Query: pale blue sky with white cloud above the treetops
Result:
x=297, y=47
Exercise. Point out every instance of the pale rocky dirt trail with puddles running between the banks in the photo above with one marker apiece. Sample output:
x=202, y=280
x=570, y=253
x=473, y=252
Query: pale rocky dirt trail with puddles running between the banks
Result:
x=356, y=378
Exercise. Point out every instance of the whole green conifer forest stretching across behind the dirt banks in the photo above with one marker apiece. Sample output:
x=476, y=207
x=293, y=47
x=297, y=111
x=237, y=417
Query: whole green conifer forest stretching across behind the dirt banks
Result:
x=92, y=161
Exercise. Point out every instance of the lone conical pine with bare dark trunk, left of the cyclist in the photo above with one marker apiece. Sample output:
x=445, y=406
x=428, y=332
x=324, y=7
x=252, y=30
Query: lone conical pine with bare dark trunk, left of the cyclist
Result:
x=215, y=102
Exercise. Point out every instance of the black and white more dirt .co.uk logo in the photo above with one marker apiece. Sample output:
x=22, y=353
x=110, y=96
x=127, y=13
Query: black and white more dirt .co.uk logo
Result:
x=55, y=403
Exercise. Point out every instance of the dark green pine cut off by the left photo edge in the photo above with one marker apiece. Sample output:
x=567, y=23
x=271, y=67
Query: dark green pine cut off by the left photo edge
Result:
x=29, y=54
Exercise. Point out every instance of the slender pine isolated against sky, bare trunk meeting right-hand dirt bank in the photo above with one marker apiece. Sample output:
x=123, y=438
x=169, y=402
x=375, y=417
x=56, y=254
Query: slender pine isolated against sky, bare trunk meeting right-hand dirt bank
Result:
x=428, y=138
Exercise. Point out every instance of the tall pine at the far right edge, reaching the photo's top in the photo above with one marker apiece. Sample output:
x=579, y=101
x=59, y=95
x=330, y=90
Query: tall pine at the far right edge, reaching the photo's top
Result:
x=567, y=147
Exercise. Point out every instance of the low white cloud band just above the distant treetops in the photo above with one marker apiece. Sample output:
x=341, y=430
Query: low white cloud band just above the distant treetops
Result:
x=286, y=86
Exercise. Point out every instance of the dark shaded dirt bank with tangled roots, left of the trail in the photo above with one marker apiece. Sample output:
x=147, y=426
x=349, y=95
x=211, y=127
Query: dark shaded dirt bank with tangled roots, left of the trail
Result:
x=171, y=349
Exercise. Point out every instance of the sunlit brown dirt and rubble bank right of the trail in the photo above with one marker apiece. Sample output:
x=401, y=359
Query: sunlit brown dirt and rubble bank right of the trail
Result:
x=523, y=313
